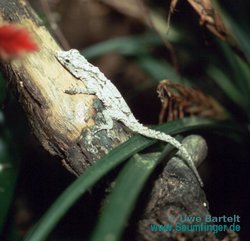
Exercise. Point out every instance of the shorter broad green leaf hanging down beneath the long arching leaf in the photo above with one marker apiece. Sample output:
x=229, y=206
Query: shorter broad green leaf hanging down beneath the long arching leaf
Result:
x=130, y=181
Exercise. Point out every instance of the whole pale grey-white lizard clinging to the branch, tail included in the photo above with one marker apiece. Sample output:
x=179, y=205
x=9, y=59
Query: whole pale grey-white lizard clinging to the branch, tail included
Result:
x=115, y=107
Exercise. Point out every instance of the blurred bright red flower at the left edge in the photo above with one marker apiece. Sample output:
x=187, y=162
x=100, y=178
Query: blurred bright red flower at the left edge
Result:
x=14, y=41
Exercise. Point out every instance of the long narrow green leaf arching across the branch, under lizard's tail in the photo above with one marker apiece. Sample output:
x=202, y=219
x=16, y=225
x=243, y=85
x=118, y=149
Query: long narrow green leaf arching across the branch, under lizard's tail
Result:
x=137, y=143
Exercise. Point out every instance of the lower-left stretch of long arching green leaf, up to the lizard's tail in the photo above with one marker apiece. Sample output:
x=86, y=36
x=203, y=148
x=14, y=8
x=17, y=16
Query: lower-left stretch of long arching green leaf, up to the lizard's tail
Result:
x=82, y=184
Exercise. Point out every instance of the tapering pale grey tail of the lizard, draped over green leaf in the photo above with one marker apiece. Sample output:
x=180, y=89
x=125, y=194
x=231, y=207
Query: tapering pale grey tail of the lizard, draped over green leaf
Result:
x=143, y=130
